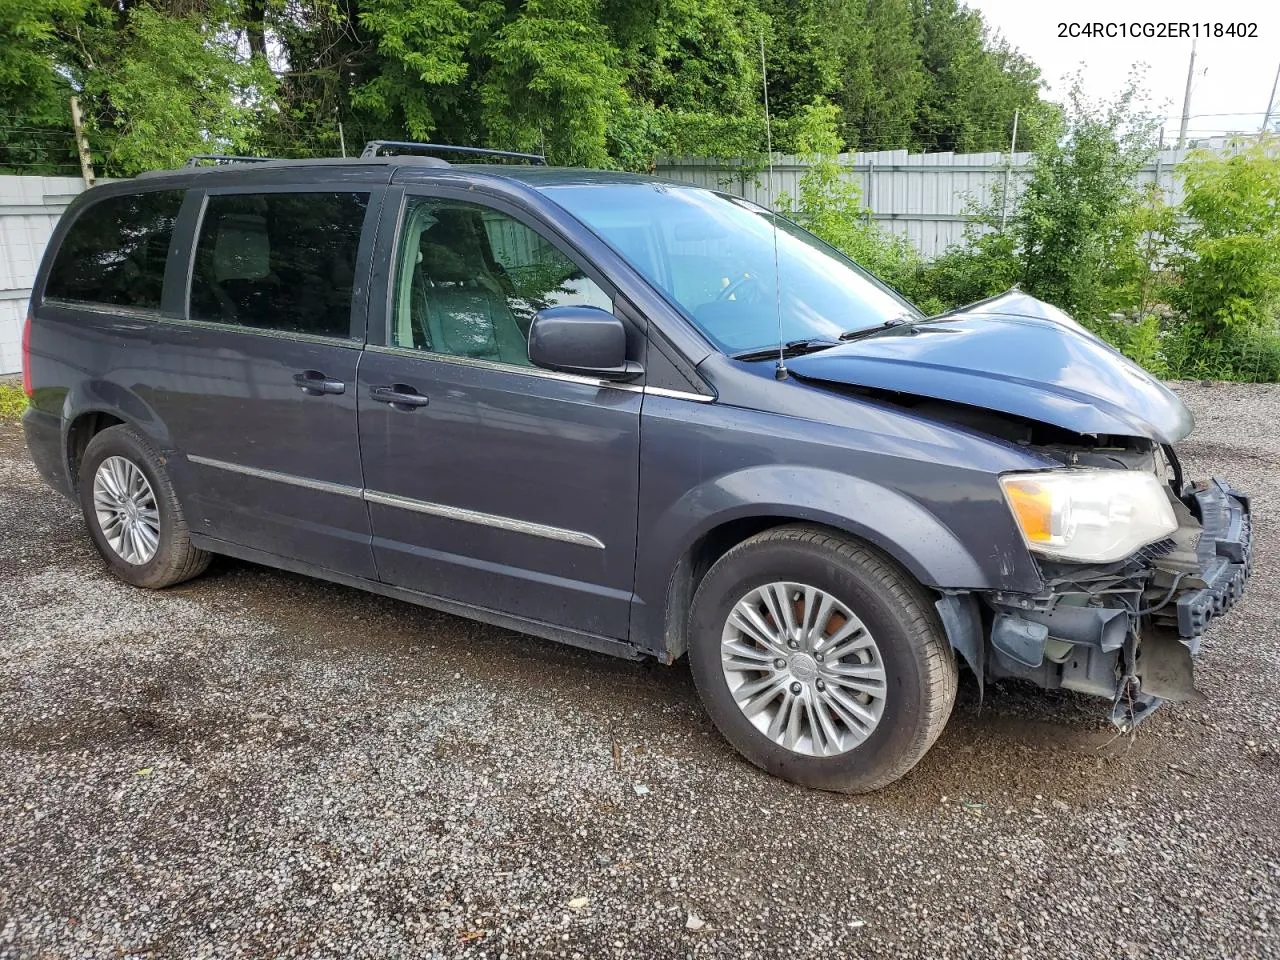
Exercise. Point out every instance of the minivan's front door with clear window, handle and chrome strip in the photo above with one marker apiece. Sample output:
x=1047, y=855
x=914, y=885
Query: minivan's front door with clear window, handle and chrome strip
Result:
x=488, y=481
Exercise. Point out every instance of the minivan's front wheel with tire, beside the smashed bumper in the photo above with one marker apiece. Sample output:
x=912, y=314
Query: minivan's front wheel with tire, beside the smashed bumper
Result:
x=821, y=660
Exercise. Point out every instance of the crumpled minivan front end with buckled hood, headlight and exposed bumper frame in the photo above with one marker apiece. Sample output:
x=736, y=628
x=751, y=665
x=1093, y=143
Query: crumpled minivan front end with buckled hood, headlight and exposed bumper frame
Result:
x=1135, y=561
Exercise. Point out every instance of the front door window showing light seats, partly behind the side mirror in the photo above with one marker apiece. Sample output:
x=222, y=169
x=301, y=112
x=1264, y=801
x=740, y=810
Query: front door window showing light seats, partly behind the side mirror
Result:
x=470, y=280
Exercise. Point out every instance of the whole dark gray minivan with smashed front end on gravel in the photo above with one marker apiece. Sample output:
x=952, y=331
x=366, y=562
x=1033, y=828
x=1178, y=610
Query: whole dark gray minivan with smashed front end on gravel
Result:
x=637, y=417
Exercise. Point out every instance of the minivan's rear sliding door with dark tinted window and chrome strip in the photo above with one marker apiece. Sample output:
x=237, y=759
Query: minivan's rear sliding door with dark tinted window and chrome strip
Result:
x=258, y=383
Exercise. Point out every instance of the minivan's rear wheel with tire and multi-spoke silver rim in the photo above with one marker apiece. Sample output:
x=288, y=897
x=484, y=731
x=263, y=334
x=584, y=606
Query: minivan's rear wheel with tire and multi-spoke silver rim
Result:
x=134, y=514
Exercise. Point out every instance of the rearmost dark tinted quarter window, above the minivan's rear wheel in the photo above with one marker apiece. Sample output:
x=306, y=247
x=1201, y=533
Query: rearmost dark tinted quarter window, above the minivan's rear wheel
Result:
x=116, y=252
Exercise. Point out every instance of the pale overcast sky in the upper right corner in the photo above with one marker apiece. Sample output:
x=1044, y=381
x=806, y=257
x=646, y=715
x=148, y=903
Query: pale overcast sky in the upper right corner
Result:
x=1233, y=77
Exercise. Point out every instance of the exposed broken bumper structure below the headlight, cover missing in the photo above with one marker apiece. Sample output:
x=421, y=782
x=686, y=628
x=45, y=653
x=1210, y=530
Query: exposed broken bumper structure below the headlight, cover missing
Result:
x=1126, y=632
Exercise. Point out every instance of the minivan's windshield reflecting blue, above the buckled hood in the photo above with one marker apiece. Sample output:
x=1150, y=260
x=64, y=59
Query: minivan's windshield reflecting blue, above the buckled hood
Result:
x=714, y=255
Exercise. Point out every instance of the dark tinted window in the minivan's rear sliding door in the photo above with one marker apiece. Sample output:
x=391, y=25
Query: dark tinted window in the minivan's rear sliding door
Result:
x=278, y=262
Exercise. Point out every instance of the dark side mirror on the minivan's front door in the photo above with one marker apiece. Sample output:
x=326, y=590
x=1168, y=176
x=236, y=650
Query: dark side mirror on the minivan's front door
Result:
x=584, y=341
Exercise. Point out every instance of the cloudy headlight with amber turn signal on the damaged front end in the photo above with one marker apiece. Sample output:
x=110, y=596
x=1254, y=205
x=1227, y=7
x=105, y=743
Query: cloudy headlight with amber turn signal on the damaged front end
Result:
x=1095, y=516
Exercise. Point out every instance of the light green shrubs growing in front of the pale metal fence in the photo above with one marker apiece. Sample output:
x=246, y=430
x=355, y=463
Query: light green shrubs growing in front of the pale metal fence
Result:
x=1188, y=291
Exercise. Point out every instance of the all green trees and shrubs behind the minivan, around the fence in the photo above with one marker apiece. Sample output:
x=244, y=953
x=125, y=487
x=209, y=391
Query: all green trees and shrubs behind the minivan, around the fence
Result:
x=1187, y=291
